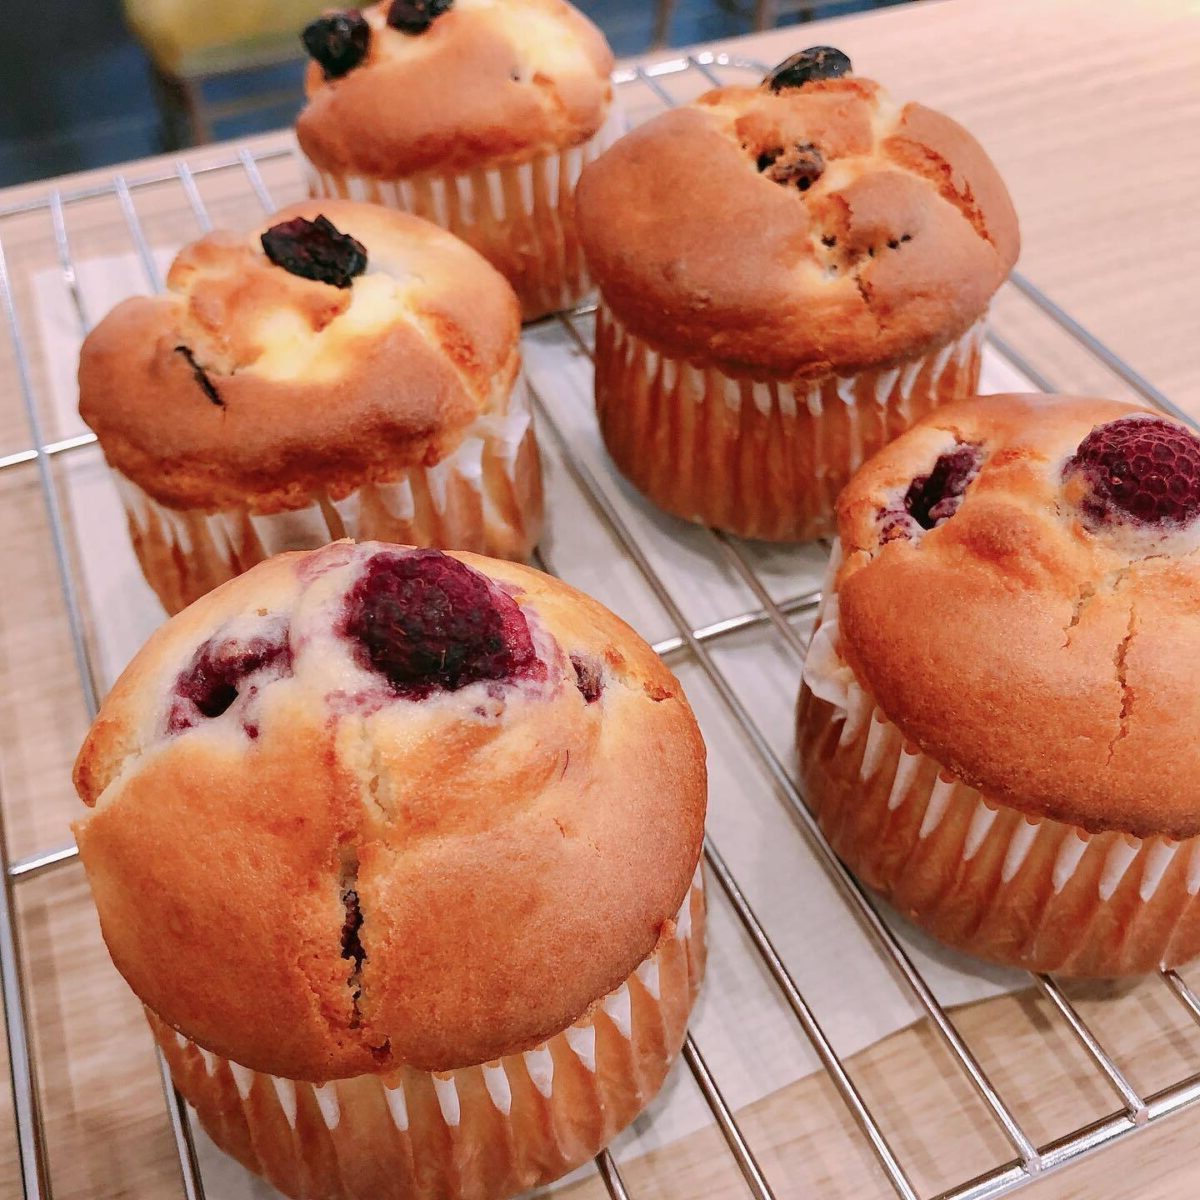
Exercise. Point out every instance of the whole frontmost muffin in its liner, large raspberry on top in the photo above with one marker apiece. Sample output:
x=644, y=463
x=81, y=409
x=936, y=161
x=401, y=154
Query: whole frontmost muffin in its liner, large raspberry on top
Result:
x=400, y=851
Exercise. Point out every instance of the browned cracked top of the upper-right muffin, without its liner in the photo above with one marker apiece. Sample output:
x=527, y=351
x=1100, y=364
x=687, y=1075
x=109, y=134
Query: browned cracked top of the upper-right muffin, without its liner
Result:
x=806, y=226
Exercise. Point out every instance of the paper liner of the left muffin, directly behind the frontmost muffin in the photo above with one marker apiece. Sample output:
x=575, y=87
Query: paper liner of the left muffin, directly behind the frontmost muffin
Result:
x=484, y=497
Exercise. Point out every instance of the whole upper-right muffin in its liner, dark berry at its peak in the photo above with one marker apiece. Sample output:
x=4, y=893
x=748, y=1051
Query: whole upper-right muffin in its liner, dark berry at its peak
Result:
x=790, y=275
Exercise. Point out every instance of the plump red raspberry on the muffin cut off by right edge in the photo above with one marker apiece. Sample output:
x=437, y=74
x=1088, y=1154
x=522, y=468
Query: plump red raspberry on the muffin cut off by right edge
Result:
x=1141, y=467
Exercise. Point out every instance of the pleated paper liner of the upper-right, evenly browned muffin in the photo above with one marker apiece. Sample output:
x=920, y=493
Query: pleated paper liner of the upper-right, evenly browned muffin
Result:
x=760, y=459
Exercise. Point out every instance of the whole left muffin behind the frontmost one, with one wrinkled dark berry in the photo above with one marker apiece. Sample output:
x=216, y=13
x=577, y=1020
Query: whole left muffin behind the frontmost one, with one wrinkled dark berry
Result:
x=343, y=371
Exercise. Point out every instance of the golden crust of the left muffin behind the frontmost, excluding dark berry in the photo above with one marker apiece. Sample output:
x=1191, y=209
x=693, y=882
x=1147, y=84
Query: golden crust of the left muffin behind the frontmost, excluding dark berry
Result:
x=320, y=388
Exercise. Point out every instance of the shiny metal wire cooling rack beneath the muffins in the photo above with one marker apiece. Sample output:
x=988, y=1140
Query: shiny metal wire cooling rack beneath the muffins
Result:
x=1136, y=1112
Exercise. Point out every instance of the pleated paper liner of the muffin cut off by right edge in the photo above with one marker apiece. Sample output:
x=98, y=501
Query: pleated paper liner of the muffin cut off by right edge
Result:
x=980, y=875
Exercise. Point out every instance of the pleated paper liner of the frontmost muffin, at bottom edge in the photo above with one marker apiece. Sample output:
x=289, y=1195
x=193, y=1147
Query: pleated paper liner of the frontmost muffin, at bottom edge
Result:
x=477, y=1133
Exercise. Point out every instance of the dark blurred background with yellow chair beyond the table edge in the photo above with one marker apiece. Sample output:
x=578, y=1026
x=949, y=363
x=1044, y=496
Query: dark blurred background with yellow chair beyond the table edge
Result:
x=87, y=83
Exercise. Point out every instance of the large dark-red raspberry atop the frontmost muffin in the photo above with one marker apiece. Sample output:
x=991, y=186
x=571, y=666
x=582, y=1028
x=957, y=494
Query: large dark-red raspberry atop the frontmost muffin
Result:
x=430, y=623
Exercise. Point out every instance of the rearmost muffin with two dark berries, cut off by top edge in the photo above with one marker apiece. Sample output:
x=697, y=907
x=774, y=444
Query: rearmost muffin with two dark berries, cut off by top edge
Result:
x=476, y=115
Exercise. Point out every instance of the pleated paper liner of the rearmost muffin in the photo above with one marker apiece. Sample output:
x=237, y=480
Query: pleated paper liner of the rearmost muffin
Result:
x=521, y=217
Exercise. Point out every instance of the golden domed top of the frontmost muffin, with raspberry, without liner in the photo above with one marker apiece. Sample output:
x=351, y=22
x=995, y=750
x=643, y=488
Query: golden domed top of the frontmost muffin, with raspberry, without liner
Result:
x=369, y=807
